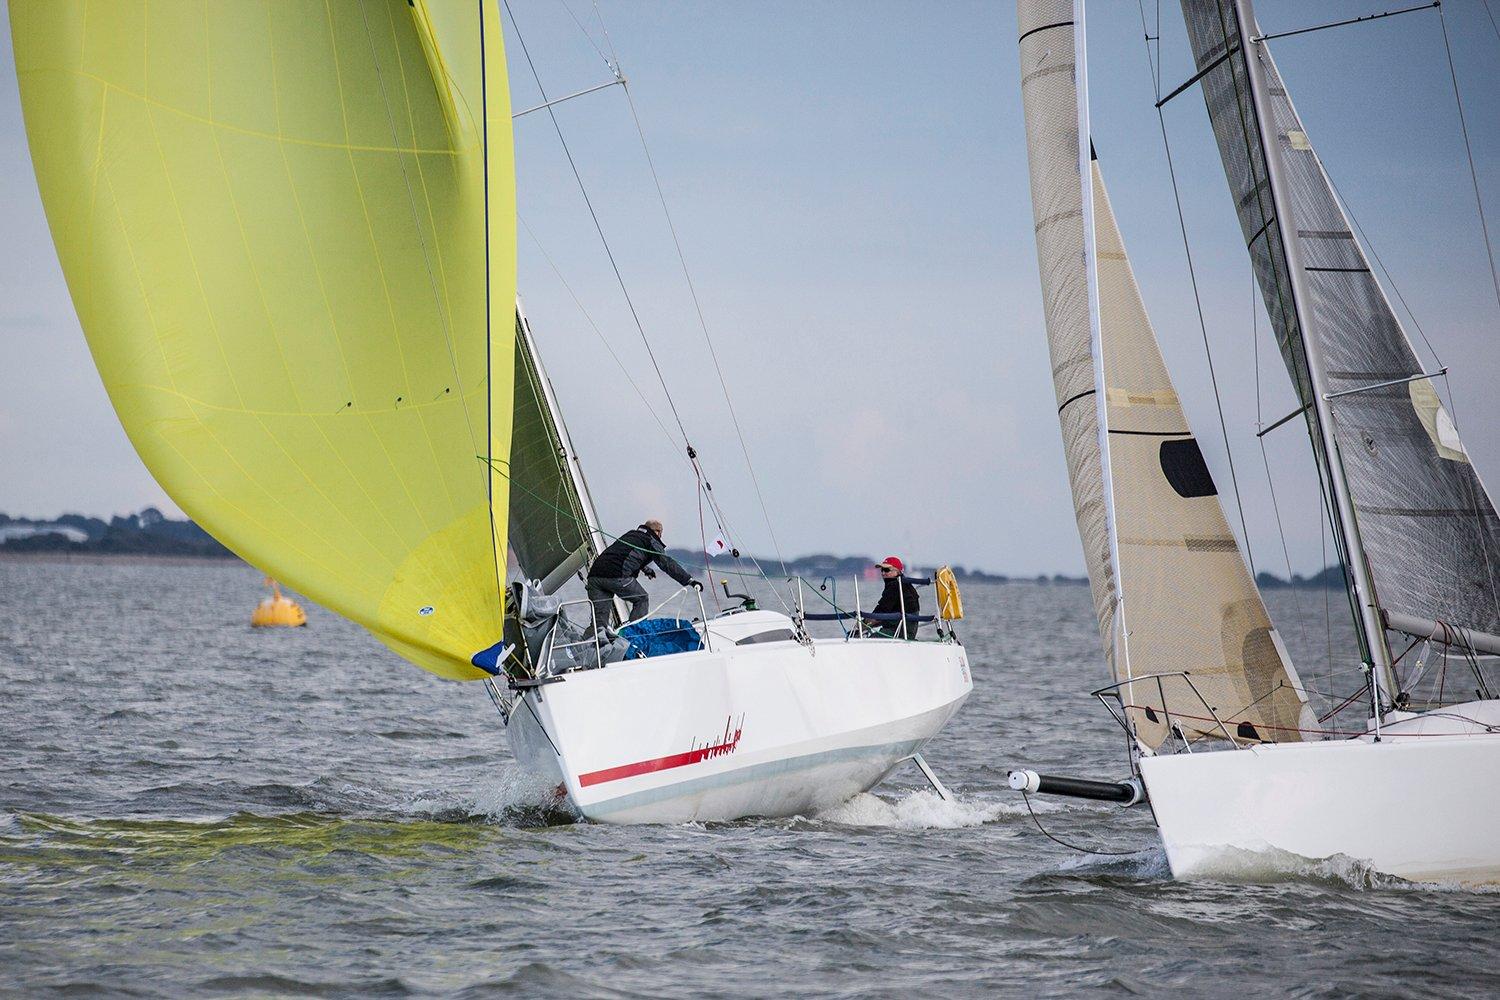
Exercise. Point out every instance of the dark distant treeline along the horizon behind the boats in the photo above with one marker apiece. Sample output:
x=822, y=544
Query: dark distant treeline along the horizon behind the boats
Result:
x=151, y=533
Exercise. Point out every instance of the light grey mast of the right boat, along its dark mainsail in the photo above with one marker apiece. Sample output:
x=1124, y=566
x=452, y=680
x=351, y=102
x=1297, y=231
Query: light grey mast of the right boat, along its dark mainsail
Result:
x=1301, y=299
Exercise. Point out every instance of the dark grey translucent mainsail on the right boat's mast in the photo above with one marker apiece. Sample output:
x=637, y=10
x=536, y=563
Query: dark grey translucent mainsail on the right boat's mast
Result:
x=1426, y=522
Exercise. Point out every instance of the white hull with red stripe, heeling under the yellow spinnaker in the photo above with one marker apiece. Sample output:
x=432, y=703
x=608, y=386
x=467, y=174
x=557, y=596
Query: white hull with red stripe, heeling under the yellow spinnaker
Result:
x=766, y=729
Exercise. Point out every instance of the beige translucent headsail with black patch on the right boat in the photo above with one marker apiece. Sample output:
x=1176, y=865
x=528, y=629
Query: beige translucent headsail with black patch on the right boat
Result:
x=1186, y=600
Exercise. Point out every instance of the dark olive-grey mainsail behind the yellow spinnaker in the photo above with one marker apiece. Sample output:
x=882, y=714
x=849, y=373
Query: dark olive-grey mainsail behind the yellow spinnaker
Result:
x=551, y=519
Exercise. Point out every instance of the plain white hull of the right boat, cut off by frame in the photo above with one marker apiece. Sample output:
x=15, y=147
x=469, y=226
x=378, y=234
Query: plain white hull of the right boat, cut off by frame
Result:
x=1423, y=804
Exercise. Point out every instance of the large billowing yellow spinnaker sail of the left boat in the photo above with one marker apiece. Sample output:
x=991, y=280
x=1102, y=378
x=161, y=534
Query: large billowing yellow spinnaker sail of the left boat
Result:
x=289, y=230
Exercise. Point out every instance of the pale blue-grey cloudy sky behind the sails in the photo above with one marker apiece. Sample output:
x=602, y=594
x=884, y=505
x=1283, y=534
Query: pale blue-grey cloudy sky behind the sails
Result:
x=850, y=187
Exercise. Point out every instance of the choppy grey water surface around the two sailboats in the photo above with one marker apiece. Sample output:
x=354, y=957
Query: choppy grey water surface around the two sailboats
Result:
x=193, y=807
